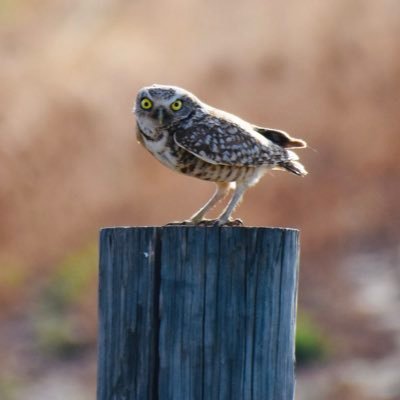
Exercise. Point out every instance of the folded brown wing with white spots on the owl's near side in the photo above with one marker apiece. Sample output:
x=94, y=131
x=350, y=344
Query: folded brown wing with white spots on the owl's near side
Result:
x=226, y=143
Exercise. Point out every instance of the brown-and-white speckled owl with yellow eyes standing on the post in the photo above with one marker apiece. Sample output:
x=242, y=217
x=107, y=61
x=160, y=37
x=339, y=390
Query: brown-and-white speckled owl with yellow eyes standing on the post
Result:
x=198, y=140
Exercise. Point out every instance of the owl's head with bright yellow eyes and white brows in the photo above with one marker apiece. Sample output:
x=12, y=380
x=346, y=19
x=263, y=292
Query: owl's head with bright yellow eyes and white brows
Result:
x=160, y=106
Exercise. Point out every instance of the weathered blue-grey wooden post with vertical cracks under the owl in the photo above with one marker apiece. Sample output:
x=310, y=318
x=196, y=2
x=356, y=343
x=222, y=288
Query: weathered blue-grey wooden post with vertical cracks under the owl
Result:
x=197, y=313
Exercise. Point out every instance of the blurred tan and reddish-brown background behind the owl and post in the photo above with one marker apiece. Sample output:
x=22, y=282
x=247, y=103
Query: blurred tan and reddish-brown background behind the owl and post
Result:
x=327, y=72
